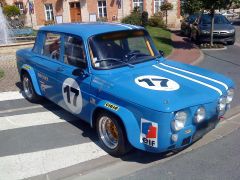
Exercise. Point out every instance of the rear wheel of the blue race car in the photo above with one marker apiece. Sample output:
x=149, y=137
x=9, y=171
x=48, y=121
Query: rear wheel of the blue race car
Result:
x=28, y=89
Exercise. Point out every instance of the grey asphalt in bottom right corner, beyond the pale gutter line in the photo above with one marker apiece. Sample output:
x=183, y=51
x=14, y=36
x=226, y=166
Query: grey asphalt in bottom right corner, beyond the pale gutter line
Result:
x=218, y=160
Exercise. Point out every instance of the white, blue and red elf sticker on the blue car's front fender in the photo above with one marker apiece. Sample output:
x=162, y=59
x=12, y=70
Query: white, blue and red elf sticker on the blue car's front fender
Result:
x=149, y=133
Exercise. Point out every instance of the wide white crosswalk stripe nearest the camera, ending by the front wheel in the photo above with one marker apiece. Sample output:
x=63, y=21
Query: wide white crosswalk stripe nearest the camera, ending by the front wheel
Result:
x=35, y=163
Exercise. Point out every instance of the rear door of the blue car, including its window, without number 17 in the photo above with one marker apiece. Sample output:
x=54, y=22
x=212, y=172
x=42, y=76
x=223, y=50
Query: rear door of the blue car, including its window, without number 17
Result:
x=49, y=64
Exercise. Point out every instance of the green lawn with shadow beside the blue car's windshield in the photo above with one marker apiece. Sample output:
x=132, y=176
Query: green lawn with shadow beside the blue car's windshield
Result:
x=161, y=39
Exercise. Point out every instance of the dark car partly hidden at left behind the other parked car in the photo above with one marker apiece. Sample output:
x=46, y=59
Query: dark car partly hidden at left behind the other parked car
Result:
x=186, y=24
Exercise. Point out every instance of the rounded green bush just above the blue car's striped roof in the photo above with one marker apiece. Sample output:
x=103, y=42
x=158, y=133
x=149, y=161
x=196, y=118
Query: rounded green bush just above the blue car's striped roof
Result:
x=134, y=18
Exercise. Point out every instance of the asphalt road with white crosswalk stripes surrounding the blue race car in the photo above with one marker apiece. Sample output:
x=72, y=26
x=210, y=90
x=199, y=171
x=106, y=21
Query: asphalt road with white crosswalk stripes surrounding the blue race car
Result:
x=43, y=141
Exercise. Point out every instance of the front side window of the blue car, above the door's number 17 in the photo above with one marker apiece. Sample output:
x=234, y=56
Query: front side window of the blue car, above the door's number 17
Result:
x=74, y=52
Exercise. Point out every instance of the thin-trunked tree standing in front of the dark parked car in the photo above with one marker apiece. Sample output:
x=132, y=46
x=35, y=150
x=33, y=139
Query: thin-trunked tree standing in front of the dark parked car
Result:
x=211, y=6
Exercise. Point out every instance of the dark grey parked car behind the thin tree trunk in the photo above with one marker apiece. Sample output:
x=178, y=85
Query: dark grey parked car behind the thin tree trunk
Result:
x=224, y=31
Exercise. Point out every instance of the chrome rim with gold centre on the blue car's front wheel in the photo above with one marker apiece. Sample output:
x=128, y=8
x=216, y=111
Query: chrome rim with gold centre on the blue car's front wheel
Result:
x=108, y=132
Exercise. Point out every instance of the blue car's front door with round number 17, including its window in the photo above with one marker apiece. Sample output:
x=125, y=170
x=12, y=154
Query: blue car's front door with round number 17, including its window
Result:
x=74, y=79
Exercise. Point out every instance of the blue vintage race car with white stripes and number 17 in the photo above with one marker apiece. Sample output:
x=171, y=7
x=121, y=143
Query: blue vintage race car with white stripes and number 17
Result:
x=113, y=77
